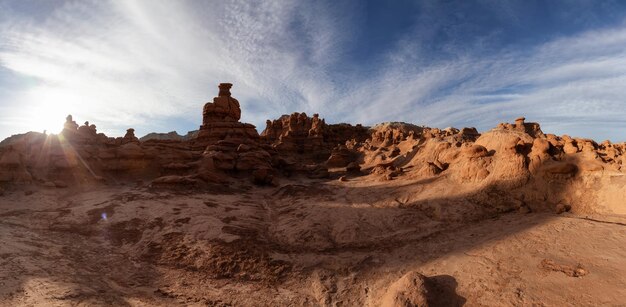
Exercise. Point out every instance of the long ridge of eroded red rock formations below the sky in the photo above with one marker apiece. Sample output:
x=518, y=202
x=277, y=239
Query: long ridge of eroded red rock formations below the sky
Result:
x=516, y=162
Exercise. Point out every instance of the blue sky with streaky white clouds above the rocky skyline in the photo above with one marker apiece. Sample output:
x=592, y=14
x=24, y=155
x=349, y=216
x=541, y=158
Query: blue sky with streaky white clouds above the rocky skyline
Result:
x=152, y=64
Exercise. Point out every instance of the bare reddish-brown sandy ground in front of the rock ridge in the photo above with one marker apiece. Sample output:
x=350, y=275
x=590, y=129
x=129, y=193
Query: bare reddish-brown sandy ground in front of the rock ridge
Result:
x=311, y=243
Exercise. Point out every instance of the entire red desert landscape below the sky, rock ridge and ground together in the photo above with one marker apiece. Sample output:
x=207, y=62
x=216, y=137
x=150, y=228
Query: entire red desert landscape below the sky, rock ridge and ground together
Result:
x=309, y=213
